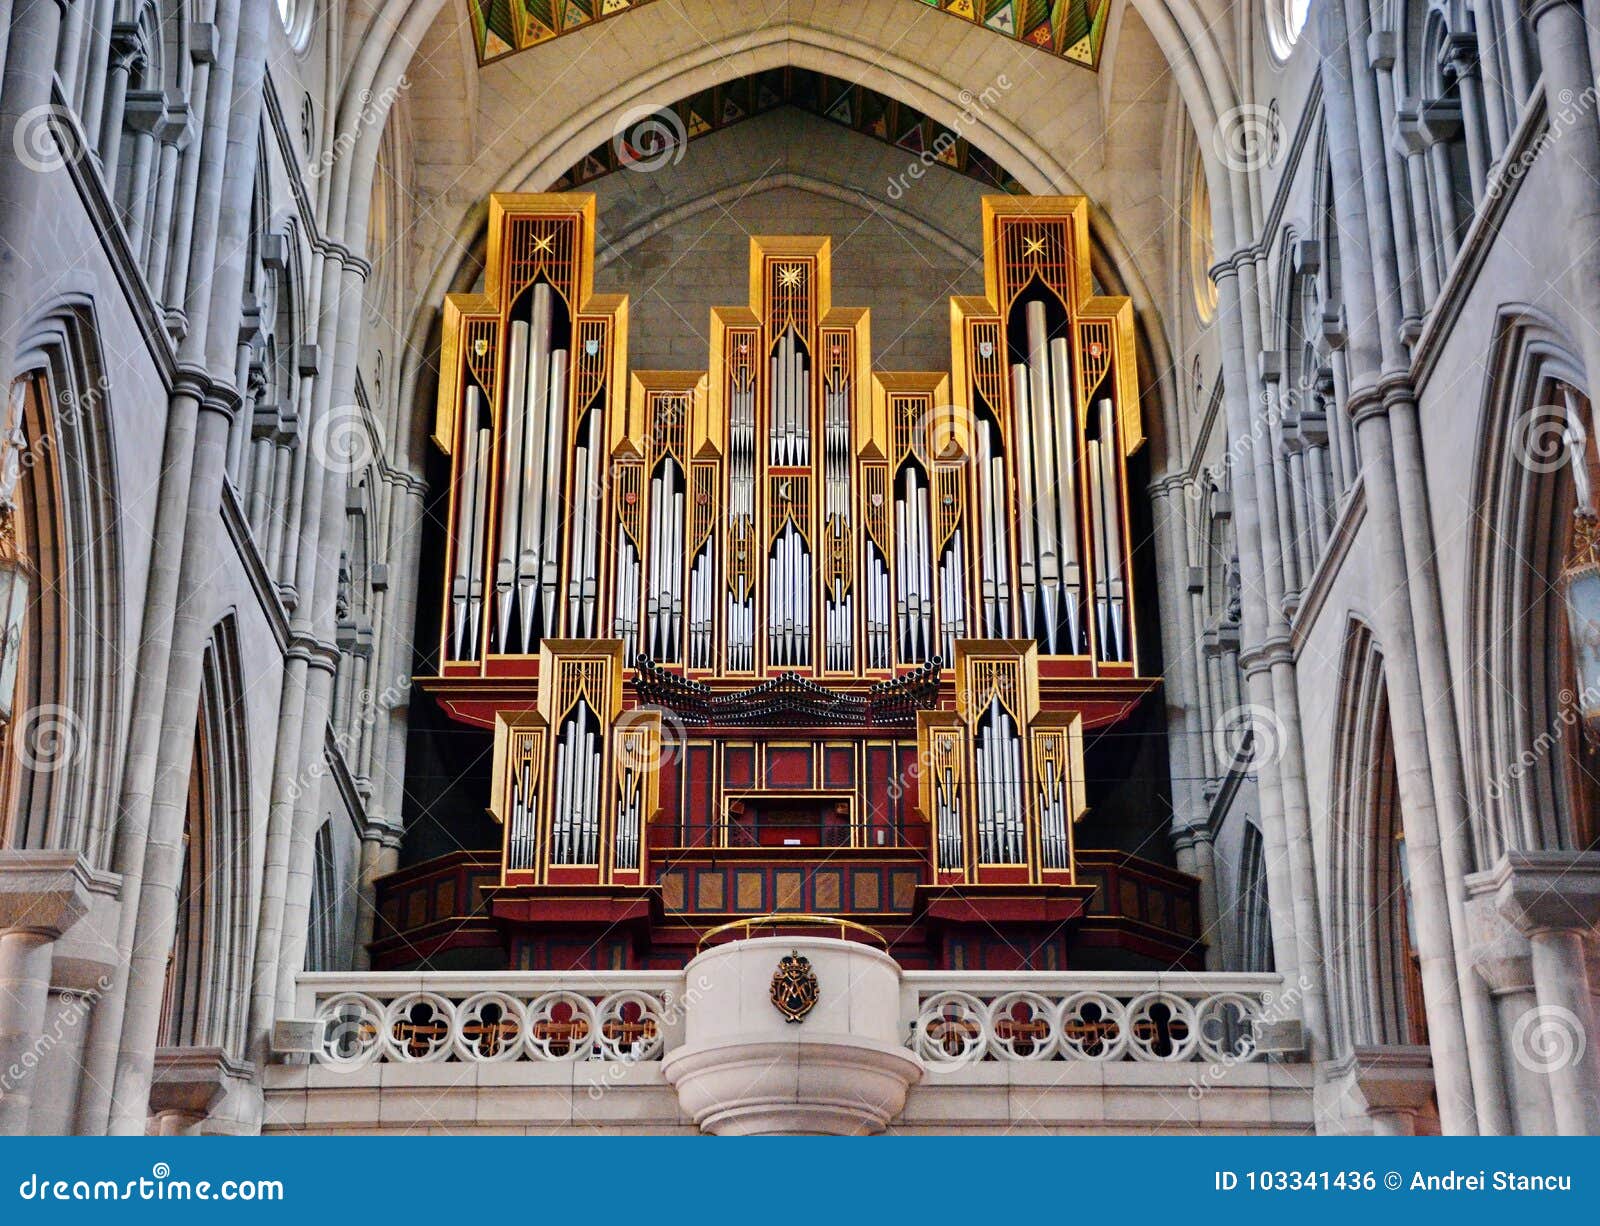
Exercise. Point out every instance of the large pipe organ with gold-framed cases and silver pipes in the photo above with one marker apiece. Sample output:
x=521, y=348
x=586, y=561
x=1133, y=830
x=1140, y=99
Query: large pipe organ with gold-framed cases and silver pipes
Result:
x=791, y=603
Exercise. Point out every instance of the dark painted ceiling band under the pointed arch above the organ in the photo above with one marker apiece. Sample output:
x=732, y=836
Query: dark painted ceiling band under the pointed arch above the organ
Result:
x=657, y=140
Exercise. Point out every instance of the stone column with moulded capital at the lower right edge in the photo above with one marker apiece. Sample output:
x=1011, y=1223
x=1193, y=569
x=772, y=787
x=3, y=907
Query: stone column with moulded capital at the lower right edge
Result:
x=1554, y=900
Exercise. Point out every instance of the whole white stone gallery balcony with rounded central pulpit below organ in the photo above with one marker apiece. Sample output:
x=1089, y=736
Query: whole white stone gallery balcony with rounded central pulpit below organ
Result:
x=639, y=1051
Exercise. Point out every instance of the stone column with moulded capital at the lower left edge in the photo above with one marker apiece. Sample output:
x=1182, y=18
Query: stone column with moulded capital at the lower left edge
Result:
x=42, y=894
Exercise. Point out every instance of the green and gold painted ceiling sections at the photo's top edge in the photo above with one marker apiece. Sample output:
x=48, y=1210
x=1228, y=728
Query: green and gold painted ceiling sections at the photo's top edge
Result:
x=1073, y=30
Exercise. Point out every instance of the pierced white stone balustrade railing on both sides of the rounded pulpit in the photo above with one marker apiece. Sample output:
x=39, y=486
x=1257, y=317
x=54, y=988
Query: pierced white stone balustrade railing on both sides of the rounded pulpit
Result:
x=951, y=1019
